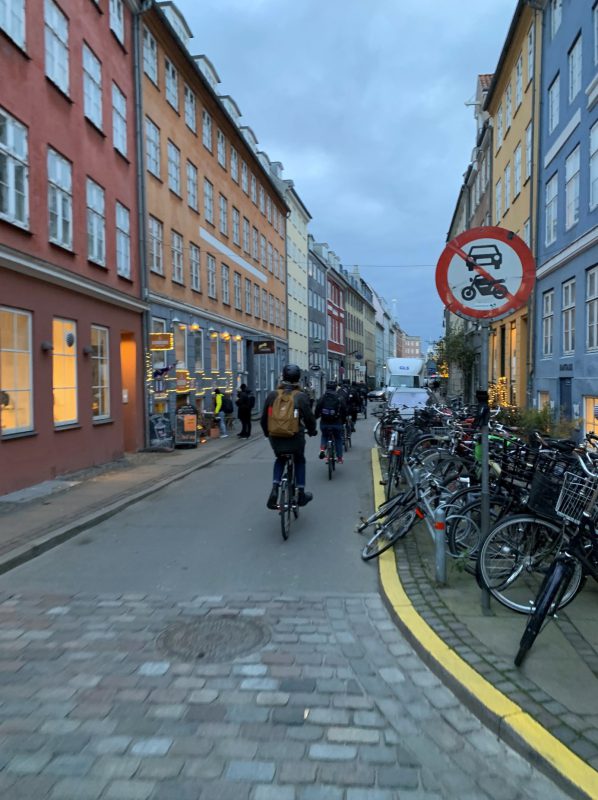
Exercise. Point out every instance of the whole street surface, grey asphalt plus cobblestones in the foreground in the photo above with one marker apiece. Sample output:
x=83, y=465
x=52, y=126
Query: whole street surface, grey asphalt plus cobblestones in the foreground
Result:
x=183, y=650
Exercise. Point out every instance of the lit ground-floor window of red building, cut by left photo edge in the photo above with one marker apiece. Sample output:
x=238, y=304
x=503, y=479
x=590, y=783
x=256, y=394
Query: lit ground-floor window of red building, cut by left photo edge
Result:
x=16, y=369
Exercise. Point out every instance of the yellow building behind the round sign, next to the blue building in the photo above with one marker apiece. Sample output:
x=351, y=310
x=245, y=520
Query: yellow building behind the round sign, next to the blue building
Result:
x=512, y=103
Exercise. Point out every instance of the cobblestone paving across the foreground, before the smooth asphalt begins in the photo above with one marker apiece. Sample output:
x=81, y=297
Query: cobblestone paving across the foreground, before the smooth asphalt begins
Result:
x=333, y=705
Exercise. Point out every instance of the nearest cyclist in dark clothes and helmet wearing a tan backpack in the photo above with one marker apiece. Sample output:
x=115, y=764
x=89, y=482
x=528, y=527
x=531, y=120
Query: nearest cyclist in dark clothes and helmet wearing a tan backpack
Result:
x=285, y=425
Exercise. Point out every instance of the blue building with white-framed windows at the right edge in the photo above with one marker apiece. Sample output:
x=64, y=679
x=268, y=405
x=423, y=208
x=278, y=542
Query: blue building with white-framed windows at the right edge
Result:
x=566, y=307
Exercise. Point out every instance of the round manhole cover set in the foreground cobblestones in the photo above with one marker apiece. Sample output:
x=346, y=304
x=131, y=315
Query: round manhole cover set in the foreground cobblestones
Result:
x=213, y=640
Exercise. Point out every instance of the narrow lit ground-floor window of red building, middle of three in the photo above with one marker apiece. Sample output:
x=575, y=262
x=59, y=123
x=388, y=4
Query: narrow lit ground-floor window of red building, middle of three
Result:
x=64, y=371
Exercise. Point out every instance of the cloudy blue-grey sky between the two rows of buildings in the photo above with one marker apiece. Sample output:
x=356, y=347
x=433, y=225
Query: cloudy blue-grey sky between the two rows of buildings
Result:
x=363, y=101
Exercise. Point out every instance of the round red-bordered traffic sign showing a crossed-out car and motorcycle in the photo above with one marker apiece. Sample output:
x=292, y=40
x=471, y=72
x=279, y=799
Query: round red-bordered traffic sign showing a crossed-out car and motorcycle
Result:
x=485, y=273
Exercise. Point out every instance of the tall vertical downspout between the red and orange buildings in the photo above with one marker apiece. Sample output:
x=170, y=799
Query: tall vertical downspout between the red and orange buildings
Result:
x=144, y=6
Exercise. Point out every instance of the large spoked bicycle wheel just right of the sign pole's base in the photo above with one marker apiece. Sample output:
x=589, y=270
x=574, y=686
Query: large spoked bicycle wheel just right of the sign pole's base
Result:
x=514, y=559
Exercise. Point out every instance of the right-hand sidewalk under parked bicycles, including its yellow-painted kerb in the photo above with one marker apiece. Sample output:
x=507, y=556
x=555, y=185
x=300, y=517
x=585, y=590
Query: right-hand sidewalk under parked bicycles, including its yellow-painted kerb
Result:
x=548, y=709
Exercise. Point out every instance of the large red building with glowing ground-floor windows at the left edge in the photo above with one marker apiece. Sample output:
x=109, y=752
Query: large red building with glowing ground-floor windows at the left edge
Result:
x=70, y=284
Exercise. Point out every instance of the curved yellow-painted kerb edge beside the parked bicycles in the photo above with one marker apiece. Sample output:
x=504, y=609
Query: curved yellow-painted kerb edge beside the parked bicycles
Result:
x=510, y=716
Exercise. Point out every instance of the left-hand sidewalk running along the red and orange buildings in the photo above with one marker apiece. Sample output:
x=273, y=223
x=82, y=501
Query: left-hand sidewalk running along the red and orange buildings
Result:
x=41, y=517
